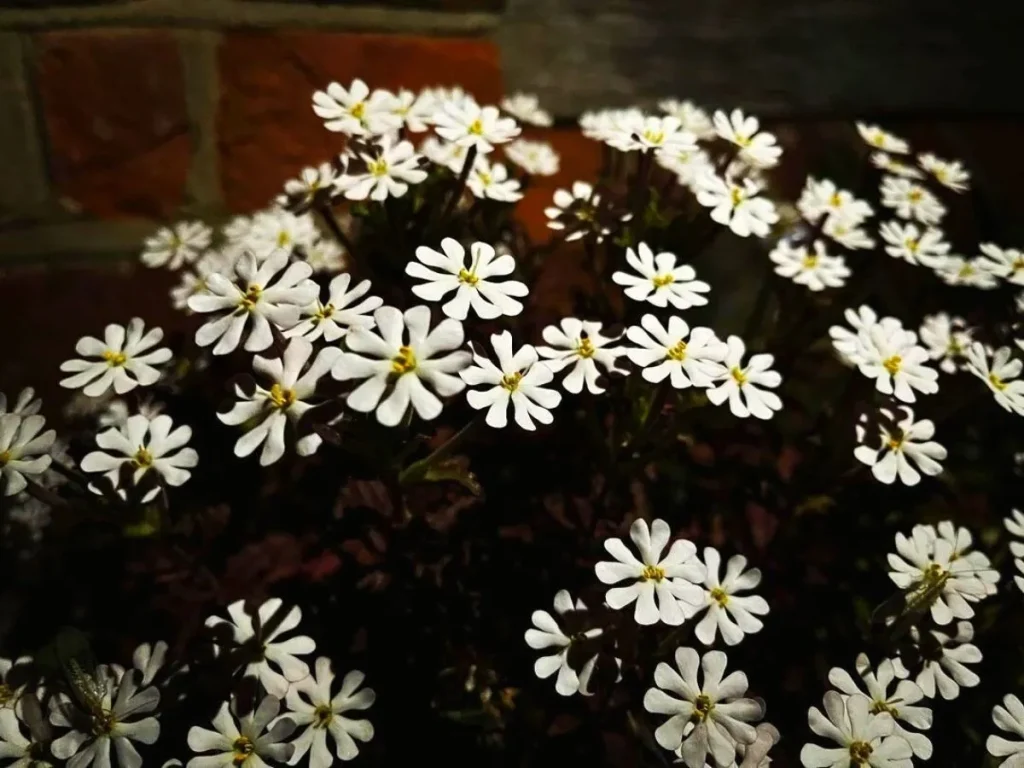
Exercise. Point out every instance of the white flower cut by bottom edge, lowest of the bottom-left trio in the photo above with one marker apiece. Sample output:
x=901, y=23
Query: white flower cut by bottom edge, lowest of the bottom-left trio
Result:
x=244, y=745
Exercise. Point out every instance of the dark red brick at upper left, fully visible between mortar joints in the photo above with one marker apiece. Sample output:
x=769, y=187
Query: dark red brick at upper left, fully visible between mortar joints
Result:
x=115, y=112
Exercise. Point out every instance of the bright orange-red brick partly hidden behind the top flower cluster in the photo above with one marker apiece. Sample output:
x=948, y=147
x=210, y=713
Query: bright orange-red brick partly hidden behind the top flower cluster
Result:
x=268, y=130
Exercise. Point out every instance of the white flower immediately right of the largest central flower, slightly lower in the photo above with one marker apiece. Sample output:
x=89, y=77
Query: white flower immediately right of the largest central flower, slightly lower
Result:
x=519, y=378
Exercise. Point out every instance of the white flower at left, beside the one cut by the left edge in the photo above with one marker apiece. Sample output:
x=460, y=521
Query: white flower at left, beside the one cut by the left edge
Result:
x=145, y=445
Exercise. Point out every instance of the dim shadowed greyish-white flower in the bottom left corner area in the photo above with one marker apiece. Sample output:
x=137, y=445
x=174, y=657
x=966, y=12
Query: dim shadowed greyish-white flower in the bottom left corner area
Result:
x=120, y=702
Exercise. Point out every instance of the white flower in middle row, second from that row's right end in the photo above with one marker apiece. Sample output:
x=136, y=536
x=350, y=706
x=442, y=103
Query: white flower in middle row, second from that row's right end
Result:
x=687, y=358
